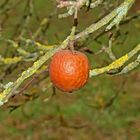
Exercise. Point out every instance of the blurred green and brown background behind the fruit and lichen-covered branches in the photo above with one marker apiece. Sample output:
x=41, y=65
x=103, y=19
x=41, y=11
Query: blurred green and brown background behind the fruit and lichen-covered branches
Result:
x=107, y=108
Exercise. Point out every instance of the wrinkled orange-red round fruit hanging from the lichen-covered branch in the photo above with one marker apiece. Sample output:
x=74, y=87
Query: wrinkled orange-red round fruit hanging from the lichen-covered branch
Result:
x=69, y=70
